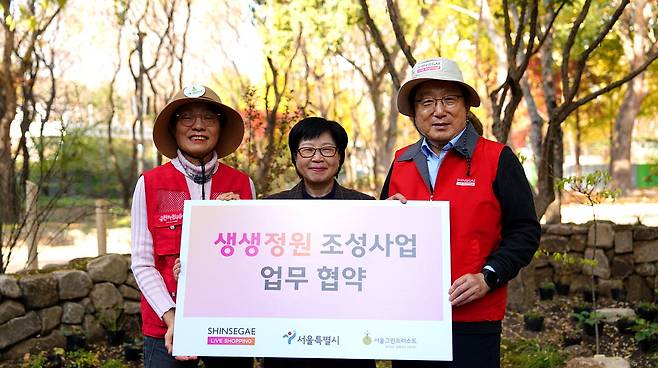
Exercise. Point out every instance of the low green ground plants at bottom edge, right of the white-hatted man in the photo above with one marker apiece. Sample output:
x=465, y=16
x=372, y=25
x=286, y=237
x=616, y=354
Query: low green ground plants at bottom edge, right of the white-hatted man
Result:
x=530, y=353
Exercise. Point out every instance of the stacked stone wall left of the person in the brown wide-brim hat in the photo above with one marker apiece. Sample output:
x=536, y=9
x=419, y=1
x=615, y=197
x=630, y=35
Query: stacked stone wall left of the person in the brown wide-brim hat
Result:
x=37, y=310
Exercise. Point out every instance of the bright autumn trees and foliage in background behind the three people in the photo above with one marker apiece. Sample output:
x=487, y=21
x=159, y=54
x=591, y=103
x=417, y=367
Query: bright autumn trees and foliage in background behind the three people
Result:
x=570, y=85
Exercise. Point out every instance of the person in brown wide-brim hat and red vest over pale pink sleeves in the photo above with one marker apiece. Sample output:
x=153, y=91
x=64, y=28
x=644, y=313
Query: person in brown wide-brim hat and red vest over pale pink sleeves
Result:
x=194, y=130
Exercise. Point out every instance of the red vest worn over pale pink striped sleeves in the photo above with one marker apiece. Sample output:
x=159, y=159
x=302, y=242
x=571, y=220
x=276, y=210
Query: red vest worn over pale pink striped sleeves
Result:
x=166, y=190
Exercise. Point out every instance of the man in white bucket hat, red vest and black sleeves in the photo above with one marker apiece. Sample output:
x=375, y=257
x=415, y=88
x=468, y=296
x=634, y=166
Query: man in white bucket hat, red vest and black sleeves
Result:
x=494, y=230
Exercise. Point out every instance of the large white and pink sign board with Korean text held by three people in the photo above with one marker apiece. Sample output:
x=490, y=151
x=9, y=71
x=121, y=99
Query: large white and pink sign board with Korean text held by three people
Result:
x=350, y=263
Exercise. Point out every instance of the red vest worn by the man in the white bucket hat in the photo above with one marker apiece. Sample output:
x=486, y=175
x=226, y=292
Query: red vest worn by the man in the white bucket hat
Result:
x=475, y=219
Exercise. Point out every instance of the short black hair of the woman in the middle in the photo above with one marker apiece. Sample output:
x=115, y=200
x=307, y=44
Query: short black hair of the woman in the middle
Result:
x=312, y=127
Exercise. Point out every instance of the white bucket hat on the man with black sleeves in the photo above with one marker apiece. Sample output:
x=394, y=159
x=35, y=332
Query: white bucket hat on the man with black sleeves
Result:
x=433, y=69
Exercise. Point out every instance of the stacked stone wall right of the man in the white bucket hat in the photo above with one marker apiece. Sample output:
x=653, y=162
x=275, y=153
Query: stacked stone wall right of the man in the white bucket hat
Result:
x=626, y=258
